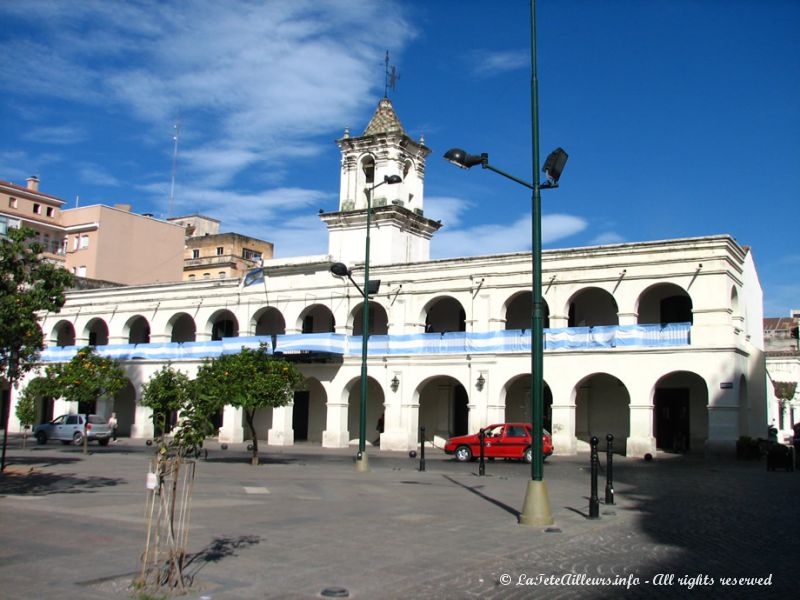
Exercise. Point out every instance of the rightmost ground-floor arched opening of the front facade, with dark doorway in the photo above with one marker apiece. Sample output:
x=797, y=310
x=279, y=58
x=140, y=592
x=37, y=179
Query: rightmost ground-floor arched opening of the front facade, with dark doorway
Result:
x=680, y=412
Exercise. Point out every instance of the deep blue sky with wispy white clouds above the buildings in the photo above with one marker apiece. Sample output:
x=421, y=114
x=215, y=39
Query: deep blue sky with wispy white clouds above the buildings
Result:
x=681, y=117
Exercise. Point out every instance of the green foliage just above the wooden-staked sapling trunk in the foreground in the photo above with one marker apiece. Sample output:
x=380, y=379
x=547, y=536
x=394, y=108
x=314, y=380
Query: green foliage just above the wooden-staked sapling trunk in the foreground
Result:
x=169, y=391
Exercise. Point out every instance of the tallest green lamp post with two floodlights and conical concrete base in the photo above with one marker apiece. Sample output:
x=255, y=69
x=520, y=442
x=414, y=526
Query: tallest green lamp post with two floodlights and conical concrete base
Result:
x=536, y=506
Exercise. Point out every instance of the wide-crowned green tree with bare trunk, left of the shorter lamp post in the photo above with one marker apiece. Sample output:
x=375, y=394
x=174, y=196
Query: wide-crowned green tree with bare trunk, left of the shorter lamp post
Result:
x=250, y=380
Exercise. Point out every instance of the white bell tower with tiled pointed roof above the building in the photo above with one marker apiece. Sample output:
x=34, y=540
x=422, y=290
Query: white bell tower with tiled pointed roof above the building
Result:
x=399, y=233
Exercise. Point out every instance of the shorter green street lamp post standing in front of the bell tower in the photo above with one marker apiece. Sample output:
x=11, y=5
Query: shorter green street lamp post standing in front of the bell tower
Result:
x=340, y=269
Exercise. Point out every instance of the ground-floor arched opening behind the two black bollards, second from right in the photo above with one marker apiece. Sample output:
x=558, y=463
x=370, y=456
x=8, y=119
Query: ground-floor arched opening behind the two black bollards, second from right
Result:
x=602, y=406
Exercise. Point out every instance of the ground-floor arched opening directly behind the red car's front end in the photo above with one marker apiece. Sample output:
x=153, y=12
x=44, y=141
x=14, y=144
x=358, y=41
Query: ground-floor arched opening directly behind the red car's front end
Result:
x=443, y=408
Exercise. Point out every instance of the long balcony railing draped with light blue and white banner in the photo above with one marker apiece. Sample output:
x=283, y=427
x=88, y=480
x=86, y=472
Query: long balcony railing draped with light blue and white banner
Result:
x=508, y=341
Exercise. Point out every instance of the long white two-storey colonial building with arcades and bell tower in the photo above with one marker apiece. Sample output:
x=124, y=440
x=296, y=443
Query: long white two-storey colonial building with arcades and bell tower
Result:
x=659, y=343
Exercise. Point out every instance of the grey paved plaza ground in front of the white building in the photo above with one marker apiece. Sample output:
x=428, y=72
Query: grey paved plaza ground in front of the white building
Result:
x=73, y=526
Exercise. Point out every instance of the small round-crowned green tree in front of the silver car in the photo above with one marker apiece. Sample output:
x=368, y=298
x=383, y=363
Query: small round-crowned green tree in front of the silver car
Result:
x=85, y=378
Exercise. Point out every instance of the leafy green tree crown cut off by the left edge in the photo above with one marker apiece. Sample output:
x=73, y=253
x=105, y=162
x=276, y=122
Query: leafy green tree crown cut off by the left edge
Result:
x=28, y=286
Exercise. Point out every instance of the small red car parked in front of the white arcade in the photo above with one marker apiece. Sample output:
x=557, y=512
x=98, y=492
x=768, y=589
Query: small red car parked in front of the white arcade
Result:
x=505, y=440
